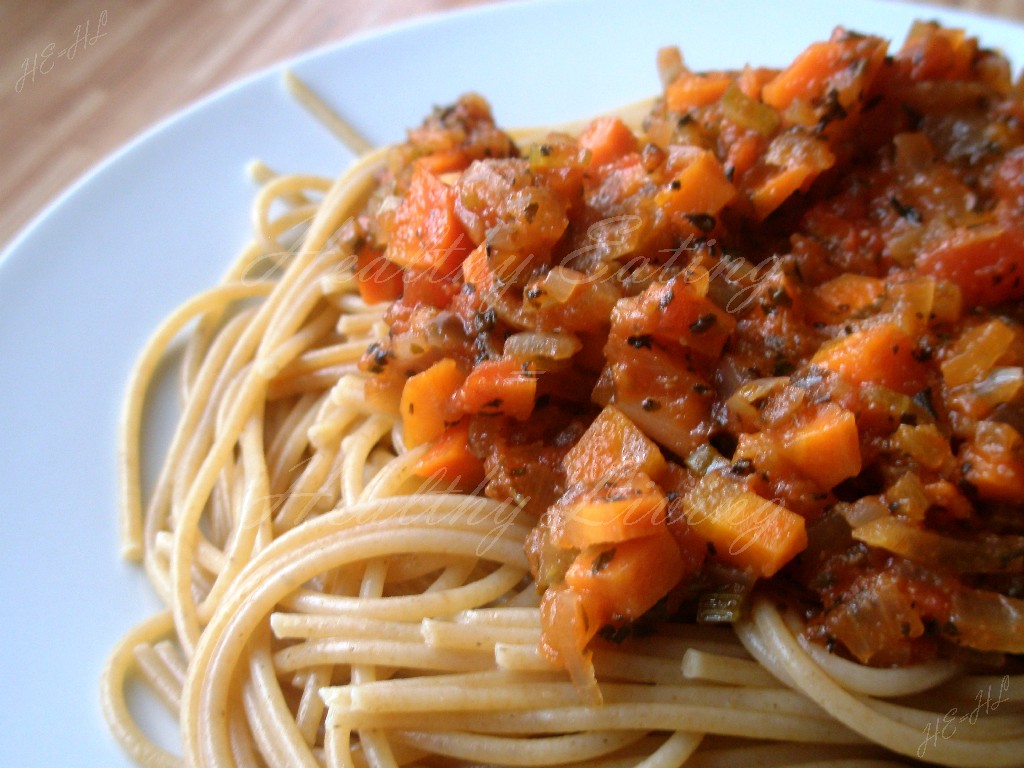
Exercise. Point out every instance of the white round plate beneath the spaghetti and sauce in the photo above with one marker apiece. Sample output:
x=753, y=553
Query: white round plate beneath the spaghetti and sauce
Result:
x=83, y=286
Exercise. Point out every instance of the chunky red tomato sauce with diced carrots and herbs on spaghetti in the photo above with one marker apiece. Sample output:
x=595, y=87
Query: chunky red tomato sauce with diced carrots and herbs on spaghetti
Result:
x=774, y=338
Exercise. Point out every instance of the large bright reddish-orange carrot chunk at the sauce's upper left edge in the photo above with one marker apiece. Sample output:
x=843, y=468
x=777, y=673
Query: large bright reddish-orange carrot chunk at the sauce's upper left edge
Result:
x=428, y=234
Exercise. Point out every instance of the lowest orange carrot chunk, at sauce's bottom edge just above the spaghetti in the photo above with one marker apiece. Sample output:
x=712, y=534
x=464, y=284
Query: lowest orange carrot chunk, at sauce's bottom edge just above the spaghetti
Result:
x=631, y=577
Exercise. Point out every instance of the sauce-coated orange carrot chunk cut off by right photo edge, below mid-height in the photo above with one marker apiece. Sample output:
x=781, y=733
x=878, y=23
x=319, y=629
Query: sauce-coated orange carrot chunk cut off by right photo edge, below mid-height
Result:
x=994, y=462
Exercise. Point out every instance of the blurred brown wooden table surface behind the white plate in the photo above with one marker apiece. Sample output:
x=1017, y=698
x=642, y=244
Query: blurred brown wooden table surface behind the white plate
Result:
x=79, y=79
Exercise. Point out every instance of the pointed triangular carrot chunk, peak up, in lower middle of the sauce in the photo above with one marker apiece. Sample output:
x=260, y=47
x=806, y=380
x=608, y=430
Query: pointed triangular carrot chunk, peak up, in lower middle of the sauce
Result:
x=613, y=445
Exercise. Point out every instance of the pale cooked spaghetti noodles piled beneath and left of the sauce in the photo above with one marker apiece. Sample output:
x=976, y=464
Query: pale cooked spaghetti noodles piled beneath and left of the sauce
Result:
x=329, y=606
